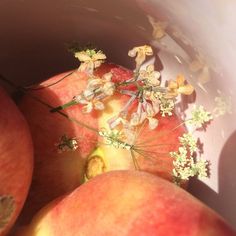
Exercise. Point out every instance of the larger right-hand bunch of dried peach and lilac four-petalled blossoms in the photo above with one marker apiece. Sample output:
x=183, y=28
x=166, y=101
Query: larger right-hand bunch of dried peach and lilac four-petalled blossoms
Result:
x=152, y=97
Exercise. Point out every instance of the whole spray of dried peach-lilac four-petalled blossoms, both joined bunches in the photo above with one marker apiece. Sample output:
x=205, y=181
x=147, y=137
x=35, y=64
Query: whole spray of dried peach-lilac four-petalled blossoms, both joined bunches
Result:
x=150, y=96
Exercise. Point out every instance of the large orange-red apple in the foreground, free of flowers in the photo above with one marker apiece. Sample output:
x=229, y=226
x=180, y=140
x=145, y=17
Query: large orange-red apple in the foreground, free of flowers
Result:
x=127, y=203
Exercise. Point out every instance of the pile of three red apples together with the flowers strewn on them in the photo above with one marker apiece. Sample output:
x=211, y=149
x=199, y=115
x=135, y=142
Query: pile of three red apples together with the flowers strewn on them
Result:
x=111, y=156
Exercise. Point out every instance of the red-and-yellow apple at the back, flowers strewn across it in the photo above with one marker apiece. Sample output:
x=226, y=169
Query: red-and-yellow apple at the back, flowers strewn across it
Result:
x=57, y=173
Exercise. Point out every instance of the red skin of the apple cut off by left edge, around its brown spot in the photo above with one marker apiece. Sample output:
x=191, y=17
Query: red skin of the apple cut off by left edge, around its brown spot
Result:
x=16, y=158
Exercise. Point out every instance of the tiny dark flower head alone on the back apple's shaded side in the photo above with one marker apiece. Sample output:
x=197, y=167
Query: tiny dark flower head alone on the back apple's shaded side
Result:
x=67, y=144
